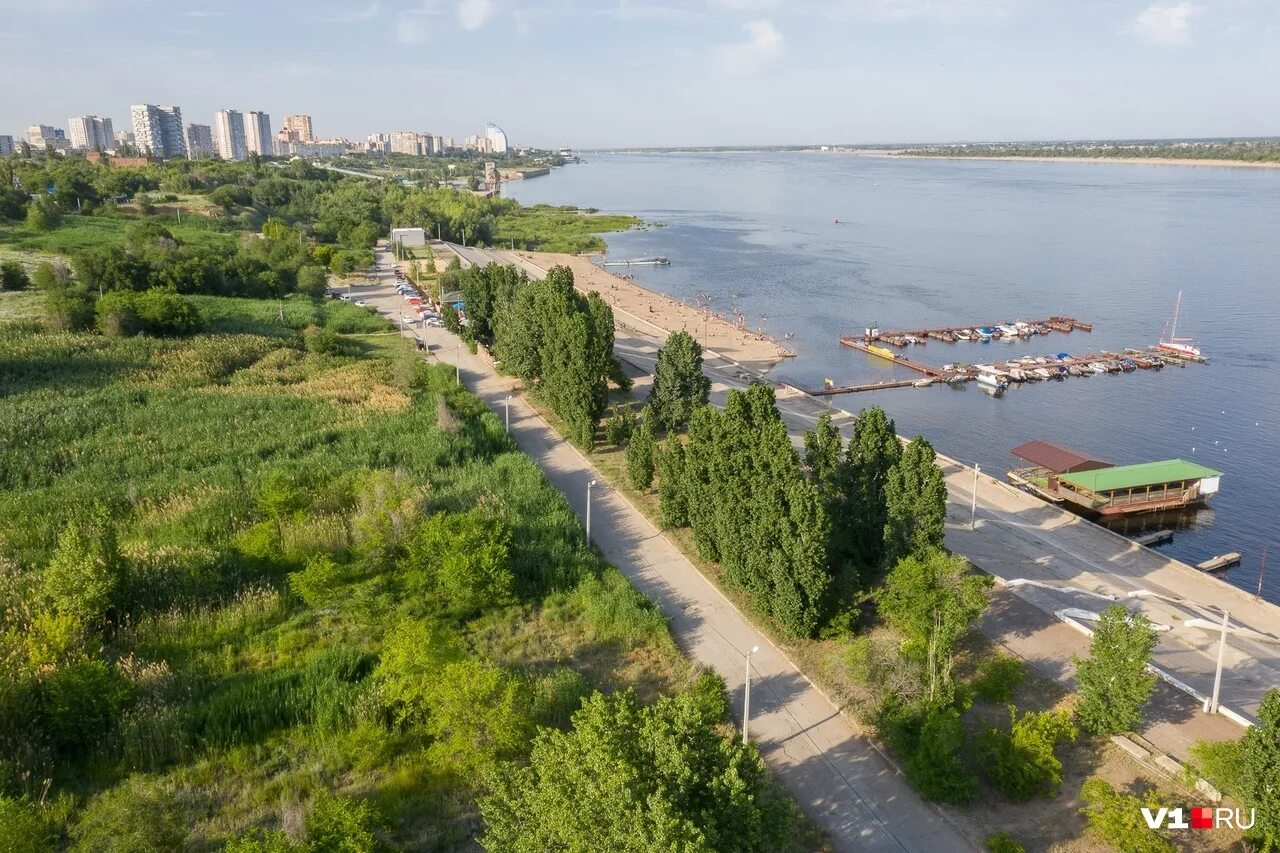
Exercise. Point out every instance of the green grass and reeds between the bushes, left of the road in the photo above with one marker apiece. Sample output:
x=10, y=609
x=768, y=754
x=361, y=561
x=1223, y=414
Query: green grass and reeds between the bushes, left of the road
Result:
x=173, y=436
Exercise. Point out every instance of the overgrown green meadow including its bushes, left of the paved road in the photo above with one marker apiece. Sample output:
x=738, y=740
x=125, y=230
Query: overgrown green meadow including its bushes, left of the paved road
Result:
x=262, y=507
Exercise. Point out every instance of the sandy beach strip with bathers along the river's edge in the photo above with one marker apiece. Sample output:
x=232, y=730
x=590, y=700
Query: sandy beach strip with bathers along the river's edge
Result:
x=657, y=313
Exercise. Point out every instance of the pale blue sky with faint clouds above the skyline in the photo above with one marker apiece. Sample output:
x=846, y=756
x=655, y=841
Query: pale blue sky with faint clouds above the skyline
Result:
x=592, y=74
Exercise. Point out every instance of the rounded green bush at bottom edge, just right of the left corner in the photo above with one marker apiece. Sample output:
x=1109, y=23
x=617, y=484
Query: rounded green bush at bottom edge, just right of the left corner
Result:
x=138, y=816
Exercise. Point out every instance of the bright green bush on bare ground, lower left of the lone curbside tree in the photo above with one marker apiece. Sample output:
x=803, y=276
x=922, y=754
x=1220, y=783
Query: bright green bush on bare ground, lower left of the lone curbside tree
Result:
x=1020, y=761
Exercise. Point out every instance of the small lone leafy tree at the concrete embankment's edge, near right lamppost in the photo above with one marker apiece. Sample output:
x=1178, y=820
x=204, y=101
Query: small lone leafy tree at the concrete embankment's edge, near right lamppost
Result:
x=1114, y=679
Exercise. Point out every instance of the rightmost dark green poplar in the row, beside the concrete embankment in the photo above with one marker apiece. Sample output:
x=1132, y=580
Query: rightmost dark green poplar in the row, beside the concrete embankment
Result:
x=916, y=504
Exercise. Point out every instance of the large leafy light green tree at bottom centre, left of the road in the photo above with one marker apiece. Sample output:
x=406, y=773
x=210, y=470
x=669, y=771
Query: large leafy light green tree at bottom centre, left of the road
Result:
x=636, y=779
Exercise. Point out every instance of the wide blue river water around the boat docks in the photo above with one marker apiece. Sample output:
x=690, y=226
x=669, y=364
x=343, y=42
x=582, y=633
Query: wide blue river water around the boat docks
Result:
x=945, y=243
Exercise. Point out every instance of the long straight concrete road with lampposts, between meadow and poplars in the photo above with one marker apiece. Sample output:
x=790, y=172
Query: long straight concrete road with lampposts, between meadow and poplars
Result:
x=836, y=776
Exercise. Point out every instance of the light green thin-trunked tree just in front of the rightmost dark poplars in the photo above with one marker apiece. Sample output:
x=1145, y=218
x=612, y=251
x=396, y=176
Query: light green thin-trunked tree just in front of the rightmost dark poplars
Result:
x=932, y=599
